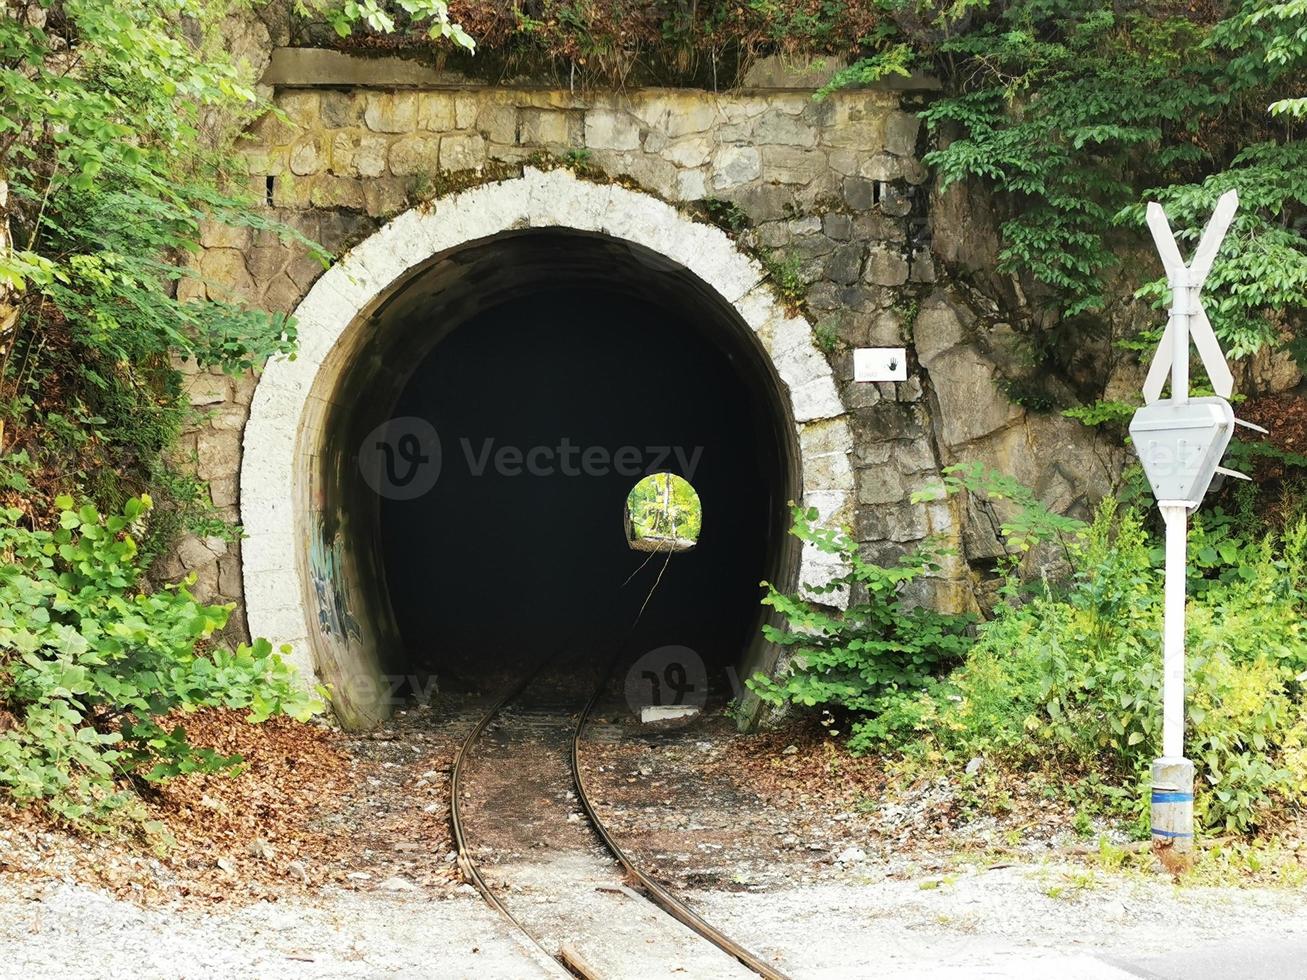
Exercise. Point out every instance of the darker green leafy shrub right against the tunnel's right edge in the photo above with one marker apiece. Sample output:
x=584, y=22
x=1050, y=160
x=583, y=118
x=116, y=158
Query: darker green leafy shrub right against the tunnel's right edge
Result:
x=872, y=654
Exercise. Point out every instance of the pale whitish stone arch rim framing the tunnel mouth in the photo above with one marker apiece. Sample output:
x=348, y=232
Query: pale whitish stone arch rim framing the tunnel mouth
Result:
x=279, y=438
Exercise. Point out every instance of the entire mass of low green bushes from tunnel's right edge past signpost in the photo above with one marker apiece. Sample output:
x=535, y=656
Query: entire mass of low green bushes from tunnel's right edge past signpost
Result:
x=1067, y=676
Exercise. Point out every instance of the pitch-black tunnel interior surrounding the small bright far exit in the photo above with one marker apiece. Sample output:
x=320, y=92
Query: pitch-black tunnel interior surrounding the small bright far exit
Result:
x=550, y=408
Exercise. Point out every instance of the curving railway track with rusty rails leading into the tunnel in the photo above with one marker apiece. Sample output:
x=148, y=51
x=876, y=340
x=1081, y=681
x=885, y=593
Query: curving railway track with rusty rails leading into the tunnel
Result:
x=585, y=906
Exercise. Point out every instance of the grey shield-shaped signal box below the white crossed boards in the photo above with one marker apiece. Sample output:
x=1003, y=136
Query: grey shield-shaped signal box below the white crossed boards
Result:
x=1181, y=446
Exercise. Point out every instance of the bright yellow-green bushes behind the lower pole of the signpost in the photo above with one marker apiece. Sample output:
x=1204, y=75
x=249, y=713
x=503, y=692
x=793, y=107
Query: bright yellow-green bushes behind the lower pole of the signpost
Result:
x=1071, y=681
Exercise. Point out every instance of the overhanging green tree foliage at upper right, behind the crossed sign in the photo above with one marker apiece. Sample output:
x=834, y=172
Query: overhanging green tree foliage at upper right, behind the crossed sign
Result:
x=1076, y=114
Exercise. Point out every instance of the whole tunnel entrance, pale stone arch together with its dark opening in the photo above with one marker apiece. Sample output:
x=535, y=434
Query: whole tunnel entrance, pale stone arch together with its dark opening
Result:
x=441, y=482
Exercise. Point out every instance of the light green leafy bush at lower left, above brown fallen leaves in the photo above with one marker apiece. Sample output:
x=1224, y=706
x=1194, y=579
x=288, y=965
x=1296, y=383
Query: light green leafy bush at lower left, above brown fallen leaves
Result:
x=90, y=664
